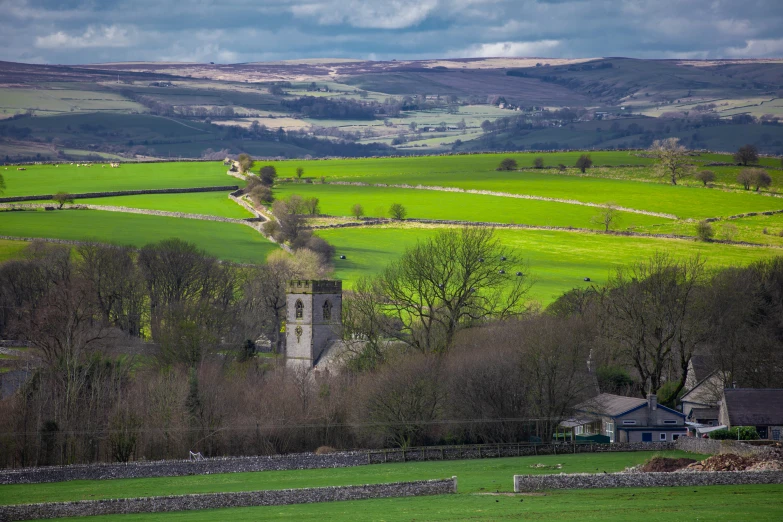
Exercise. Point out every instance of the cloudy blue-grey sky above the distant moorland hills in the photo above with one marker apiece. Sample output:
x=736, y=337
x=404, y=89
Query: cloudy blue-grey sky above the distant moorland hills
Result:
x=237, y=31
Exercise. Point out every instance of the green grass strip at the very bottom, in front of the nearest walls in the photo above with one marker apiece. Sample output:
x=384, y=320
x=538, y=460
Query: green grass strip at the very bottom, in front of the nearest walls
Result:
x=725, y=503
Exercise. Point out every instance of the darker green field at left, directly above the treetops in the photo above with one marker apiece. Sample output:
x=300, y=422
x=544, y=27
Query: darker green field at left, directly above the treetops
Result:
x=233, y=242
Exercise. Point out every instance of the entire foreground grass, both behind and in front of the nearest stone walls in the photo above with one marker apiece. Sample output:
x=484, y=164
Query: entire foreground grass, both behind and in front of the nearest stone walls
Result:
x=484, y=494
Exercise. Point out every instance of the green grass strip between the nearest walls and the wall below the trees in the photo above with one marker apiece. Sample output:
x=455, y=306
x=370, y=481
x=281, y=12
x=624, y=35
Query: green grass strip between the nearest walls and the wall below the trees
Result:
x=475, y=476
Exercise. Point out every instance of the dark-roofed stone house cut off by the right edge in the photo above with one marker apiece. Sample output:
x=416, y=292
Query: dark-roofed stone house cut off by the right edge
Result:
x=761, y=408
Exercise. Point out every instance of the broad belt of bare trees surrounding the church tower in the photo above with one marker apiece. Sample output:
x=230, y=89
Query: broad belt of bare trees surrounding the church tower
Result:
x=148, y=354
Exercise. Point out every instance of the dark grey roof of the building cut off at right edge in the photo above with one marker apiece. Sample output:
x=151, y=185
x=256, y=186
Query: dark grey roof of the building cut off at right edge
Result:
x=754, y=407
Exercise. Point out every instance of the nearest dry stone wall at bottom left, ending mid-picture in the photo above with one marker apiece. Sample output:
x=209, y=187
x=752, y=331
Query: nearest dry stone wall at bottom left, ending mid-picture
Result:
x=227, y=500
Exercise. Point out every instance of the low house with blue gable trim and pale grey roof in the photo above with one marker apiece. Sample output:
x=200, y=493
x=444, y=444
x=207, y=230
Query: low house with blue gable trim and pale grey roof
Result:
x=628, y=419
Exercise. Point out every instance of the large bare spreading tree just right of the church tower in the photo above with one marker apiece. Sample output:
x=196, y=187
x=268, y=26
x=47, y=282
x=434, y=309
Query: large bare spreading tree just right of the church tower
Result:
x=455, y=279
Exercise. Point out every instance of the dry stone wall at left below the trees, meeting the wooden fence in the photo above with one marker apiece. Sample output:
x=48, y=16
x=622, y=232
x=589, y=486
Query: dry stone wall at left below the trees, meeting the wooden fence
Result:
x=177, y=468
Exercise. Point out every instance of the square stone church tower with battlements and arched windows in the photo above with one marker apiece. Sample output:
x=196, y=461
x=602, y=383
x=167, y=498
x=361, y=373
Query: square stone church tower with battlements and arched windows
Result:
x=313, y=318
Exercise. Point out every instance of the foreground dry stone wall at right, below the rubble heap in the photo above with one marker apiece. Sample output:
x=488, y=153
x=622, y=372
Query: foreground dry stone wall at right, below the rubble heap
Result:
x=524, y=483
